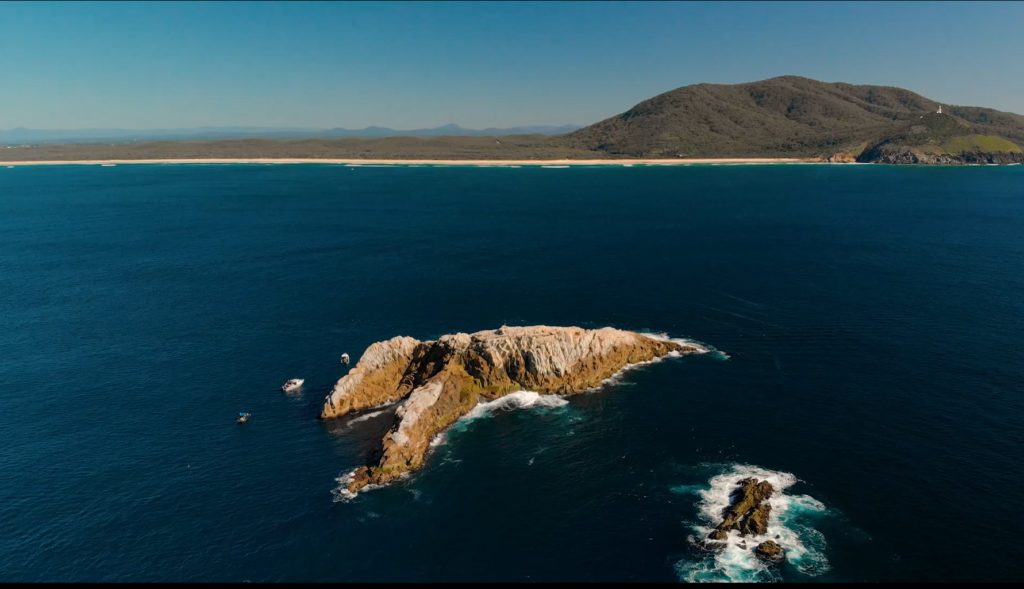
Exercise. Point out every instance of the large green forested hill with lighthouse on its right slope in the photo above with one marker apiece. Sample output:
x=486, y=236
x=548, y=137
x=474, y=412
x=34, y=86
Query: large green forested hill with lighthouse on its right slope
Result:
x=799, y=117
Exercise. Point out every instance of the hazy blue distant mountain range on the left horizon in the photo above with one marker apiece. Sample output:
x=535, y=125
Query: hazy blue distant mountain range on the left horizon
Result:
x=33, y=137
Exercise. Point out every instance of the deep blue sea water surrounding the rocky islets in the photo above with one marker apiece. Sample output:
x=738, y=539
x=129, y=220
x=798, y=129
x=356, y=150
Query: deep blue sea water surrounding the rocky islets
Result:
x=873, y=319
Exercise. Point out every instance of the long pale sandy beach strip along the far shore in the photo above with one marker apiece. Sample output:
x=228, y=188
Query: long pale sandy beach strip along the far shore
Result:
x=358, y=162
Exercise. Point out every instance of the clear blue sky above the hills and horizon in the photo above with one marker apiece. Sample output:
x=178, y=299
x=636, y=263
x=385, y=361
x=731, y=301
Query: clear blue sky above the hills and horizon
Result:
x=417, y=65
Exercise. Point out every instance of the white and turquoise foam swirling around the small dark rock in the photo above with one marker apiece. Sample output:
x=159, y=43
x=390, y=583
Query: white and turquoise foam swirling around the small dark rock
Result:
x=790, y=527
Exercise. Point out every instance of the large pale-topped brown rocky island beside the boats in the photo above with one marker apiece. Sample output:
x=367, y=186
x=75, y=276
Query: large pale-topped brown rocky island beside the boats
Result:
x=443, y=381
